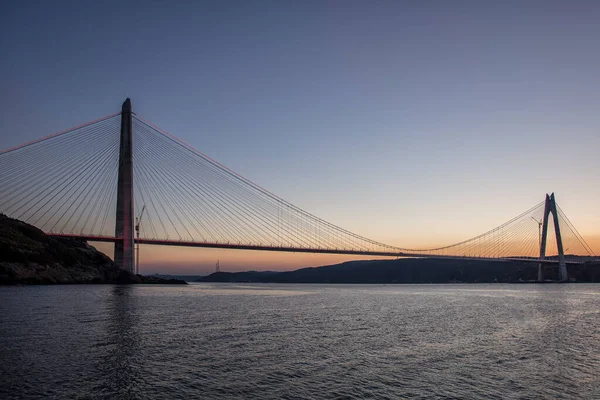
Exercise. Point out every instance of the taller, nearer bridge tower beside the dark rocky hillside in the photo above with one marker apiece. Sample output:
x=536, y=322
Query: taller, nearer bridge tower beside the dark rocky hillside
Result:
x=124, y=248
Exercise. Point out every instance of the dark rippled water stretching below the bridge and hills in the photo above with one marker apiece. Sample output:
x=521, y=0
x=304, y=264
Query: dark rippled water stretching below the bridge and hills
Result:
x=300, y=341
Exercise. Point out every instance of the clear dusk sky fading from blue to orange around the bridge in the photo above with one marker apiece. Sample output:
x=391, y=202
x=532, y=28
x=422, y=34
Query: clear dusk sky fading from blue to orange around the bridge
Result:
x=410, y=122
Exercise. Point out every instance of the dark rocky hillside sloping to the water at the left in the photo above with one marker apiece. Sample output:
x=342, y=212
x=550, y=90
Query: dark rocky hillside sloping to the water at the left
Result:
x=28, y=256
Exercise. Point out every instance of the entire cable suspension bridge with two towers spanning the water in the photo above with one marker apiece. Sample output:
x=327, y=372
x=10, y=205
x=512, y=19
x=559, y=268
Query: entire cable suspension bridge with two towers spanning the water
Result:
x=87, y=182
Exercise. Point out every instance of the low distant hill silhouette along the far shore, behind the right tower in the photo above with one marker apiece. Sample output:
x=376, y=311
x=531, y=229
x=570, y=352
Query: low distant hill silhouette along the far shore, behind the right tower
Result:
x=412, y=270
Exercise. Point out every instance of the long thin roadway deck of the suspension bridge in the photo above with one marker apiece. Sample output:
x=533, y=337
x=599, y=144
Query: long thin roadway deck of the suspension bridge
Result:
x=234, y=246
